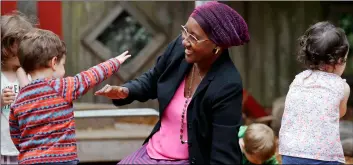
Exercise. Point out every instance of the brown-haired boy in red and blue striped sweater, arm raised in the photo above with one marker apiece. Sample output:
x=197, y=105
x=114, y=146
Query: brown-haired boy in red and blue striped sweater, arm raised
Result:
x=42, y=122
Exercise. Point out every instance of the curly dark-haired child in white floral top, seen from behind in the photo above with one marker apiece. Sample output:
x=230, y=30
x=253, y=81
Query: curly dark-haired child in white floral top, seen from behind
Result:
x=316, y=100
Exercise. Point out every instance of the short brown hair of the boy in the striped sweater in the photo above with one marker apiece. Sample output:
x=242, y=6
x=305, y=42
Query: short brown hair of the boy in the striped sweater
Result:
x=38, y=47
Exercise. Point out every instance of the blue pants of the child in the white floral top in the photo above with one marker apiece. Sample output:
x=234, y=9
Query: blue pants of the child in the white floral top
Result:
x=296, y=160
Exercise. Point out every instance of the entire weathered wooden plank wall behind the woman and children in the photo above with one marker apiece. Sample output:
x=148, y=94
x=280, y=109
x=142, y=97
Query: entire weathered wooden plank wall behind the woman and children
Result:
x=267, y=64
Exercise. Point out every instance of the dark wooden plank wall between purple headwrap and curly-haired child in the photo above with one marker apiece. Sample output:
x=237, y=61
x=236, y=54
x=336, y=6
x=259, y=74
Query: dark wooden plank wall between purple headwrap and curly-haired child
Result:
x=268, y=63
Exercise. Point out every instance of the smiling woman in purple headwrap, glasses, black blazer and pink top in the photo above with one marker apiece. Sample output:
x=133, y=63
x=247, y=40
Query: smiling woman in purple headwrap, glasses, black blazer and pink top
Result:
x=195, y=82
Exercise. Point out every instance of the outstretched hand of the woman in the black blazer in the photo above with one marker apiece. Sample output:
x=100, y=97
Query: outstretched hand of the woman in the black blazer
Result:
x=113, y=92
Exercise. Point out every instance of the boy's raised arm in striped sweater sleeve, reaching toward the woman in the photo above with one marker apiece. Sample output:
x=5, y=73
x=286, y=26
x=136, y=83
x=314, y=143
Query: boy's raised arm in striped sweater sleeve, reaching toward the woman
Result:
x=71, y=88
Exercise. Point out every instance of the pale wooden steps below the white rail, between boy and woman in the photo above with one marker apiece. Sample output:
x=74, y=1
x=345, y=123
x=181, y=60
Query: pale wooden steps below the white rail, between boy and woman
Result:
x=111, y=144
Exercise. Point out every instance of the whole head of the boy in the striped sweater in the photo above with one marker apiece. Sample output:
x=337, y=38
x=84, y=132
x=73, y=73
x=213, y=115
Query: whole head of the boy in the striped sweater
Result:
x=42, y=50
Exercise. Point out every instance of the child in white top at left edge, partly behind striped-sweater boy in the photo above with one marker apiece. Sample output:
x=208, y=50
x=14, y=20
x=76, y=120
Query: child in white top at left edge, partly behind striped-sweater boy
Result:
x=13, y=26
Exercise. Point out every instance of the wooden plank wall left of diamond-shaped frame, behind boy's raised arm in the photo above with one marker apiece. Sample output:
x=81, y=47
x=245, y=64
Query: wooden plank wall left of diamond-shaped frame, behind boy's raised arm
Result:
x=77, y=17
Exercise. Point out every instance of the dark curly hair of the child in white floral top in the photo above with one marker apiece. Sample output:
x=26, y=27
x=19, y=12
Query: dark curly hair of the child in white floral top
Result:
x=321, y=44
